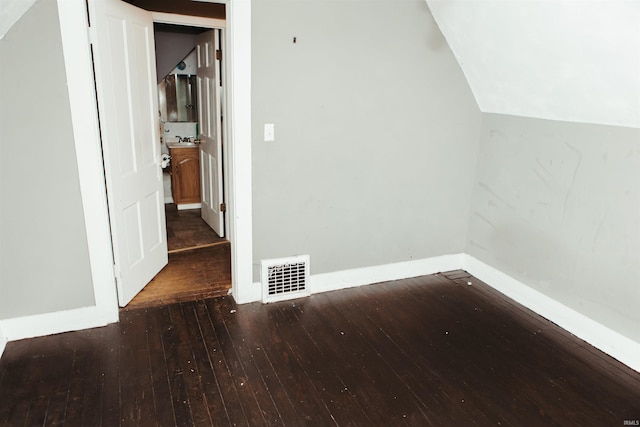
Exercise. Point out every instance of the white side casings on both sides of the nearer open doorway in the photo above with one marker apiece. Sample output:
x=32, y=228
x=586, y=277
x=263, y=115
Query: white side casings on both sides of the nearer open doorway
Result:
x=77, y=56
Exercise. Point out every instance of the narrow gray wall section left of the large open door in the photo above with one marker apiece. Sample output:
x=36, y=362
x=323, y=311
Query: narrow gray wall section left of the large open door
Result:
x=44, y=262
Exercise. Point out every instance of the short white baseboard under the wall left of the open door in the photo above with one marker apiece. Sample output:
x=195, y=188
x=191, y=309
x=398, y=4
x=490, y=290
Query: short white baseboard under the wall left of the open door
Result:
x=38, y=325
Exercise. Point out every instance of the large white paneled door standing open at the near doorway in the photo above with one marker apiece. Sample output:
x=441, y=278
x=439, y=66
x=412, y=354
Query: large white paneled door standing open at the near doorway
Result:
x=124, y=58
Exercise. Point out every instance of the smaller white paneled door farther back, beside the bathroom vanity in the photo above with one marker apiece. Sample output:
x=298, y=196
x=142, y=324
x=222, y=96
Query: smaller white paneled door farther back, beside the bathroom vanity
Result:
x=210, y=126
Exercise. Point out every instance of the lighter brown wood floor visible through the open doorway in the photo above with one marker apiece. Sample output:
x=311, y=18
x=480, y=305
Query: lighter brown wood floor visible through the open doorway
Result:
x=199, y=263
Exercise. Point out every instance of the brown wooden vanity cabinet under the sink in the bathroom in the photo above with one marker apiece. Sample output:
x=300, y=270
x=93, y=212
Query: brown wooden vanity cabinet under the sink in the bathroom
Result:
x=185, y=174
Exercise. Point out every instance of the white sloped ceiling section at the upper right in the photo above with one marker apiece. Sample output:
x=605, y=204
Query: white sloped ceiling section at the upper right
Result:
x=569, y=60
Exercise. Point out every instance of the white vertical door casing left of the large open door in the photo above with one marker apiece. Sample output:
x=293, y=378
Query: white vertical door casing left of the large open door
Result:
x=79, y=72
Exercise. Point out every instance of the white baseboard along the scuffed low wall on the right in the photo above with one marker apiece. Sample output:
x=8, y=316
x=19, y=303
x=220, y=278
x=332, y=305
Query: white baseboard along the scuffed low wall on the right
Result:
x=606, y=340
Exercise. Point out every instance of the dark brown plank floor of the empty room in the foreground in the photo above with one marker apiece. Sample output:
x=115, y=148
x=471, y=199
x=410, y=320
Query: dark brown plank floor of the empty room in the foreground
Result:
x=429, y=351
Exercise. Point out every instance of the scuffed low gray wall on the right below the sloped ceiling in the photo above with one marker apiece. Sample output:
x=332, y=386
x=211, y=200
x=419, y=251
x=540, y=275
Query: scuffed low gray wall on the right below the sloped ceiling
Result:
x=557, y=206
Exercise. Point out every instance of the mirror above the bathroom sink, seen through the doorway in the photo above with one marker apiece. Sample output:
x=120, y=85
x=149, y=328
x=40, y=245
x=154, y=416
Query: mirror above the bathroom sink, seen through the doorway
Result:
x=177, y=98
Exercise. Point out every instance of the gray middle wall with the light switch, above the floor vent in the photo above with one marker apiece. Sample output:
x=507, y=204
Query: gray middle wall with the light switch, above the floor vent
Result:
x=376, y=134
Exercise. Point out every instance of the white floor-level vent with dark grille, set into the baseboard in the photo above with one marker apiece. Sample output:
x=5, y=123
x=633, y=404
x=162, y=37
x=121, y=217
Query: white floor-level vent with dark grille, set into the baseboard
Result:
x=285, y=278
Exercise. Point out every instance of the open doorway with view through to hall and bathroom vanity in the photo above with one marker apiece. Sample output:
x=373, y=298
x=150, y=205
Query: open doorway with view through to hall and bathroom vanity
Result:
x=199, y=256
